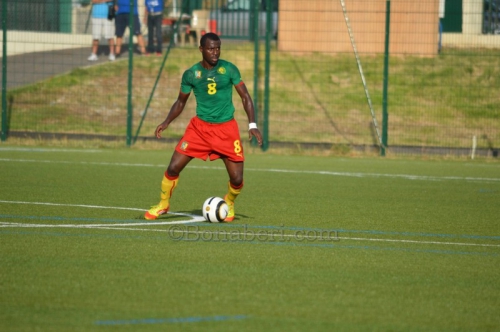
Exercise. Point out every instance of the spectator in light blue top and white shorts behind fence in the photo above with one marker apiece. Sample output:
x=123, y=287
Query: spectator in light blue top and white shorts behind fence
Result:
x=102, y=26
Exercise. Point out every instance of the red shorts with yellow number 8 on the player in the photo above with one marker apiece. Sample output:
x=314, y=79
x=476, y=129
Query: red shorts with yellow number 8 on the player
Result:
x=211, y=140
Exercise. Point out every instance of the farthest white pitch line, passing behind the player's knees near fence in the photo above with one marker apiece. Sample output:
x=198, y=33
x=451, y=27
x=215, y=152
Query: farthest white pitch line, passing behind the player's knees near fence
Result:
x=347, y=174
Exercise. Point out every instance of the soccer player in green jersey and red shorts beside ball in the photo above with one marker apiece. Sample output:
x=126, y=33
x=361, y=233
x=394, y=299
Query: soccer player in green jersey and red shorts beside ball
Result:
x=213, y=133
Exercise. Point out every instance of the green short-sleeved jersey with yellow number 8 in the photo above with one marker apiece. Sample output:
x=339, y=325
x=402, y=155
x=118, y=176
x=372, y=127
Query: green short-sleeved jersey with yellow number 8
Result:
x=213, y=89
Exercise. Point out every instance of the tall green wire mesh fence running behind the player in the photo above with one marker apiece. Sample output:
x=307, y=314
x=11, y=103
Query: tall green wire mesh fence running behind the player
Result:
x=325, y=74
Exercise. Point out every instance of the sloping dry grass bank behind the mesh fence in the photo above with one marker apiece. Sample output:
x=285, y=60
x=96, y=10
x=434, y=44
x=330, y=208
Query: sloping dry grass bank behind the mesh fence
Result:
x=315, y=98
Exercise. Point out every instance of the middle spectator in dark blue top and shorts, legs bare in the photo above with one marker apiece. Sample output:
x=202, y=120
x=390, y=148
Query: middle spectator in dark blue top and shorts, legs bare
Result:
x=122, y=22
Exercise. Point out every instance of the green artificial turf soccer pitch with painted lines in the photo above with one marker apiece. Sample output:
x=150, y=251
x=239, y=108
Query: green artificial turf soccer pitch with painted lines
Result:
x=318, y=244
